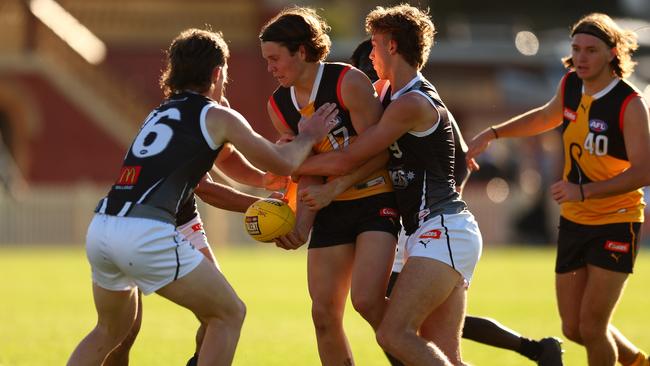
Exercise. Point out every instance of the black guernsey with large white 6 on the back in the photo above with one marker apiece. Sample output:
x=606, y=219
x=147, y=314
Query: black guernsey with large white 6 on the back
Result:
x=165, y=162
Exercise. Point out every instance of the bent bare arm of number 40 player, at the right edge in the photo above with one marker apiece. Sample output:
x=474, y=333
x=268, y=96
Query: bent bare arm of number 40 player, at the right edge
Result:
x=637, y=145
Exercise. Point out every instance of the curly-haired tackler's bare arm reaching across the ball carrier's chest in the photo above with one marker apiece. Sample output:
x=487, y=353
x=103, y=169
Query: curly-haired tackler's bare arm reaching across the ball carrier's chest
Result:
x=409, y=112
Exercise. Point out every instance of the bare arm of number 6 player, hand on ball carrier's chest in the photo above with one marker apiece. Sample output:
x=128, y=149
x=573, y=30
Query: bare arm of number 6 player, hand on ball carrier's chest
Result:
x=225, y=124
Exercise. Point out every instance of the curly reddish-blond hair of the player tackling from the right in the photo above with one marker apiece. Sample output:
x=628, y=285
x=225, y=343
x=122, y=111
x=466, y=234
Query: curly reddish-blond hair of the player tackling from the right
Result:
x=409, y=26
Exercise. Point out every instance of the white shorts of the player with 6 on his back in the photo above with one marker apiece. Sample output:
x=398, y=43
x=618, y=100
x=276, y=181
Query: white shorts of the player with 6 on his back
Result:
x=125, y=252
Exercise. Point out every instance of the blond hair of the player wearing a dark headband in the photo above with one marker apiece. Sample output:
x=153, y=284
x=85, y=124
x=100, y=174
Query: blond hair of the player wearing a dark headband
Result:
x=603, y=27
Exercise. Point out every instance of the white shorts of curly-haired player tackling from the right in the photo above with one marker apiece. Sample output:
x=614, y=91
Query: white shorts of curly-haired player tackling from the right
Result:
x=453, y=239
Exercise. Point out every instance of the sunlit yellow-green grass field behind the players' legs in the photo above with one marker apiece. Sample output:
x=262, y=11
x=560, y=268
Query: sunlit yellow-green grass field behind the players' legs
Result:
x=46, y=308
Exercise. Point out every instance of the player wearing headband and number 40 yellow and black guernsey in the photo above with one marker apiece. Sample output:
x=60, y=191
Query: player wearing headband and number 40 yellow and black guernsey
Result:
x=606, y=138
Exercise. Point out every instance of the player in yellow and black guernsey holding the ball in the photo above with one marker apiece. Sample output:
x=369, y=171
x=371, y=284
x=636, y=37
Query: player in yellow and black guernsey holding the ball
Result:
x=353, y=239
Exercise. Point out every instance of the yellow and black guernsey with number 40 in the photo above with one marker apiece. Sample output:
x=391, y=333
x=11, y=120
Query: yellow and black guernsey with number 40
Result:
x=594, y=150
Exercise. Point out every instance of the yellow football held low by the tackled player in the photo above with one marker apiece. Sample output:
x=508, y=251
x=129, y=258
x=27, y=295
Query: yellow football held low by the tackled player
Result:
x=268, y=219
